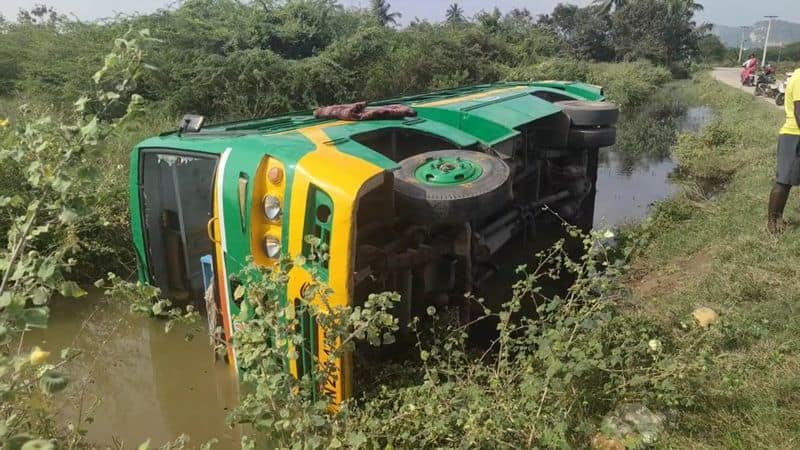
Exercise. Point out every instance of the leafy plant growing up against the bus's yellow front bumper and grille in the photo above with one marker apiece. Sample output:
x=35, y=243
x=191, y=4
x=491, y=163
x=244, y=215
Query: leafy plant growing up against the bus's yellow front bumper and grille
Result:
x=285, y=410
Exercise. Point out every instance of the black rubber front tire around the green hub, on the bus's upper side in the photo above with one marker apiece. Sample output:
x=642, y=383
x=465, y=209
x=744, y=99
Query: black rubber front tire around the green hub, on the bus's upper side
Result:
x=431, y=203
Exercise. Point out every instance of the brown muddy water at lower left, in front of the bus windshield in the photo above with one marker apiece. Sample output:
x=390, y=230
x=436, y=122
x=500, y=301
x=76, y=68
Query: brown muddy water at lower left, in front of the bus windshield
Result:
x=145, y=384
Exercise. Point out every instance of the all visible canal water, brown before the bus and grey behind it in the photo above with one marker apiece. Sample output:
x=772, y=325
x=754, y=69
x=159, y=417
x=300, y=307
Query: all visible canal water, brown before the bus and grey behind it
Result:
x=138, y=383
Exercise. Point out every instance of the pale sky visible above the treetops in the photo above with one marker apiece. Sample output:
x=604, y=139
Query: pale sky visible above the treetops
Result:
x=725, y=12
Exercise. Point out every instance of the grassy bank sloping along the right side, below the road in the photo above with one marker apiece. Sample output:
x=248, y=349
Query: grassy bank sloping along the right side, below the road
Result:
x=708, y=247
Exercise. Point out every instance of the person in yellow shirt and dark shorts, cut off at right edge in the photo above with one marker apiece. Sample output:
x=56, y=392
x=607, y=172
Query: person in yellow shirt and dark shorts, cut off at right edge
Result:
x=788, y=173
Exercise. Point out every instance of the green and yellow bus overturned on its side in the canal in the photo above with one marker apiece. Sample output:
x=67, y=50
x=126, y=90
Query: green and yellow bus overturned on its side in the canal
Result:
x=418, y=205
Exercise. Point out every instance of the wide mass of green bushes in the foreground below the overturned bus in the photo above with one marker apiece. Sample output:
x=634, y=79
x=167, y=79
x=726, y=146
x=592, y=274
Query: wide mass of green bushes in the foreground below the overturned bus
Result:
x=545, y=381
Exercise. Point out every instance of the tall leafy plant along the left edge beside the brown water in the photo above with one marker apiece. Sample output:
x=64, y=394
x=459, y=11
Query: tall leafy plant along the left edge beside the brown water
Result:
x=35, y=261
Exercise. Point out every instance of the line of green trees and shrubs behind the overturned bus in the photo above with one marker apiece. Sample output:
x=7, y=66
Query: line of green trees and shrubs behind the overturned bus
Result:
x=227, y=58
